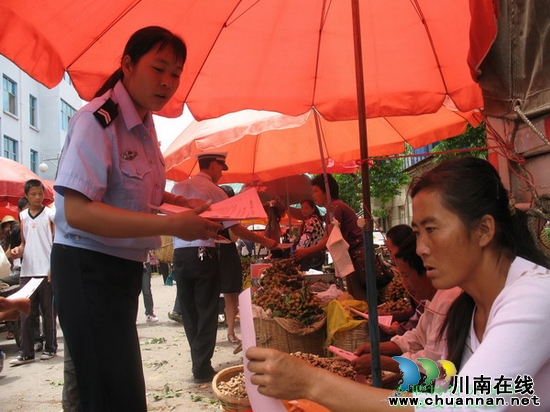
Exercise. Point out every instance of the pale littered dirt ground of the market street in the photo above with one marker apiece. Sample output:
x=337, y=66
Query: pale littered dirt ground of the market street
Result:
x=166, y=363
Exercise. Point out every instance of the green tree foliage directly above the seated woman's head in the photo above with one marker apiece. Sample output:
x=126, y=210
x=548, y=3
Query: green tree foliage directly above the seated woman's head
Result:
x=473, y=137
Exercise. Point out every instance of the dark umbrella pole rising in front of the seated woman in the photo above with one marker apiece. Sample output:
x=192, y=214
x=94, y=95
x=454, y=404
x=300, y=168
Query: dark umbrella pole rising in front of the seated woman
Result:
x=372, y=298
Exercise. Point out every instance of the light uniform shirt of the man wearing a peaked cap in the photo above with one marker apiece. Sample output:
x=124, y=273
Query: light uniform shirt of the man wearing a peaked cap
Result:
x=202, y=187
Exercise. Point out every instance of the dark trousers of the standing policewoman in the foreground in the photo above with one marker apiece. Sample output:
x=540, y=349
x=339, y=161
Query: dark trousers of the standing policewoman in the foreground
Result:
x=97, y=300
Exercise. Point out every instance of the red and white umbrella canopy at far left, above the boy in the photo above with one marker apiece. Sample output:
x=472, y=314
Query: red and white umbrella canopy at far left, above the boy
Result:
x=12, y=182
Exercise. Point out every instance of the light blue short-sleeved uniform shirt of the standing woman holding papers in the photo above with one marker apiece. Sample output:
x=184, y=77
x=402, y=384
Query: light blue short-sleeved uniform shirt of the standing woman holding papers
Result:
x=120, y=165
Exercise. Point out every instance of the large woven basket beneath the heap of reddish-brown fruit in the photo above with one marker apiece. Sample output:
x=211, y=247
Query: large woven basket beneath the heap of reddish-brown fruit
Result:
x=269, y=334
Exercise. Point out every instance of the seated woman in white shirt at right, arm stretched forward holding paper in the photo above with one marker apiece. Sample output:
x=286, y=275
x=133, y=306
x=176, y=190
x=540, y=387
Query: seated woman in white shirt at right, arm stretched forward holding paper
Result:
x=467, y=236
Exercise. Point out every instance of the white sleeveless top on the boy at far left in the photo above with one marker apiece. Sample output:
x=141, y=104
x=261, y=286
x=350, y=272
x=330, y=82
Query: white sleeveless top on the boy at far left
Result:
x=38, y=234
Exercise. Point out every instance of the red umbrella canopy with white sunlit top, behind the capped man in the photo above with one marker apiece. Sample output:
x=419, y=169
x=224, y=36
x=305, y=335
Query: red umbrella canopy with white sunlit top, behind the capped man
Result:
x=263, y=146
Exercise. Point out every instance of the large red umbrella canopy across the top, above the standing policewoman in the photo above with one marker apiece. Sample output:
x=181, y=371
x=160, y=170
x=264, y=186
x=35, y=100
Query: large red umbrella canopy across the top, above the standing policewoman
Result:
x=278, y=55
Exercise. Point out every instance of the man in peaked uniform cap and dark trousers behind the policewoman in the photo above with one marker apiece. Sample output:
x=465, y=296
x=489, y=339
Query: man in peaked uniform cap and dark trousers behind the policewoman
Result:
x=197, y=268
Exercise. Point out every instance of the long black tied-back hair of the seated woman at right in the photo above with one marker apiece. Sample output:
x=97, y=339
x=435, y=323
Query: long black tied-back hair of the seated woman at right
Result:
x=472, y=188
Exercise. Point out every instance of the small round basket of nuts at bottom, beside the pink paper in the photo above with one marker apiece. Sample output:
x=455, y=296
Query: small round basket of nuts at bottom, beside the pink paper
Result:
x=229, y=387
